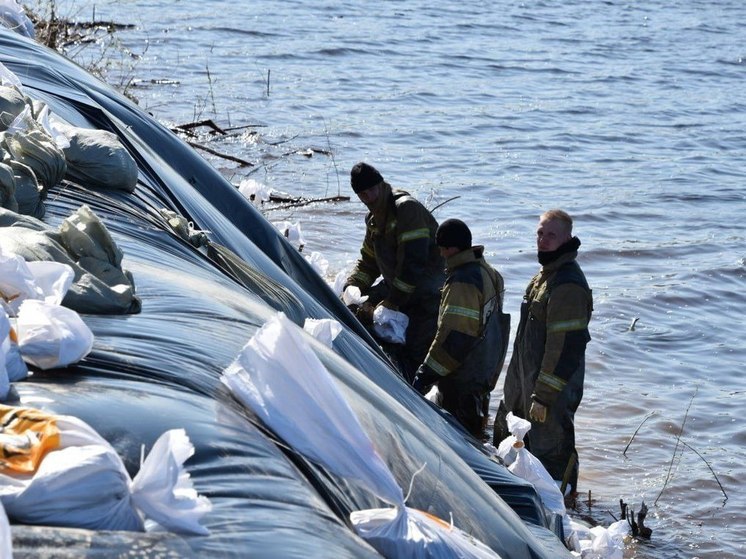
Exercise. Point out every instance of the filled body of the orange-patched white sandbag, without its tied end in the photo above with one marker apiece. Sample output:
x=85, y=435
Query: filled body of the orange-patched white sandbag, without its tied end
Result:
x=57, y=471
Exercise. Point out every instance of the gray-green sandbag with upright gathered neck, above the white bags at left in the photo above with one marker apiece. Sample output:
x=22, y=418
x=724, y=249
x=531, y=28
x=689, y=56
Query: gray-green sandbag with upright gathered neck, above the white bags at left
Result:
x=100, y=285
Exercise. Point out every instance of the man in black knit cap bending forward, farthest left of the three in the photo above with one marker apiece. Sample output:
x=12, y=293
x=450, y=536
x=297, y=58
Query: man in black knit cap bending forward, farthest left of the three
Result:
x=399, y=245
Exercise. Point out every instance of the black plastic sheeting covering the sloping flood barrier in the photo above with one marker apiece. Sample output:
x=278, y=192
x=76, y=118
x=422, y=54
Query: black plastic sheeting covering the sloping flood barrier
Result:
x=160, y=369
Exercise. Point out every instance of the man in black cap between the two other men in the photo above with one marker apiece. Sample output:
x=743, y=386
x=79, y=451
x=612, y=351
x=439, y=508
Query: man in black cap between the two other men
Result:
x=467, y=353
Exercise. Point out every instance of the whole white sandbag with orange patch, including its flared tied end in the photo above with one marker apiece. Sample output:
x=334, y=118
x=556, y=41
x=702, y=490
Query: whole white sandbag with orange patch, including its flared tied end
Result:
x=57, y=471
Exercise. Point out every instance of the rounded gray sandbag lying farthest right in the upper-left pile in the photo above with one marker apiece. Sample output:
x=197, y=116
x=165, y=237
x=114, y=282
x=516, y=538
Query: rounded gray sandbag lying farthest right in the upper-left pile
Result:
x=97, y=159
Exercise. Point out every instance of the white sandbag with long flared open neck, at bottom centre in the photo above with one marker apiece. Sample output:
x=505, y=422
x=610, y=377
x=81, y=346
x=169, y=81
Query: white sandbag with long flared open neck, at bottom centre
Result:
x=282, y=381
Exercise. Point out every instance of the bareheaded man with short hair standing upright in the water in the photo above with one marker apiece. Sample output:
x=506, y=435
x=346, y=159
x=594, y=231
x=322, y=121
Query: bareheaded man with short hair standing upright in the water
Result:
x=544, y=381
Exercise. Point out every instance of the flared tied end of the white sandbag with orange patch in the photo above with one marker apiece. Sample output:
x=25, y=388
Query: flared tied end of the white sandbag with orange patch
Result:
x=163, y=490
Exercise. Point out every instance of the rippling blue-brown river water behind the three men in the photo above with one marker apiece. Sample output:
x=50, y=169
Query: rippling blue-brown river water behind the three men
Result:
x=629, y=115
